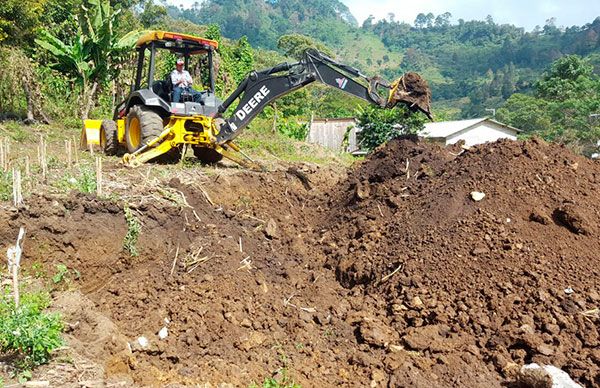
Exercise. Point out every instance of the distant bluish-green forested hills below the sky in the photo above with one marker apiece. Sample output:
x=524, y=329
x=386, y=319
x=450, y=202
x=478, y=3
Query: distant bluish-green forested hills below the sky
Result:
x=482, y=60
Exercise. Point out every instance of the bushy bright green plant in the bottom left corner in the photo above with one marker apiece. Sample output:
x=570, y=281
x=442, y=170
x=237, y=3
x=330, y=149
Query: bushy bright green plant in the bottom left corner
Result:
x=27, y=332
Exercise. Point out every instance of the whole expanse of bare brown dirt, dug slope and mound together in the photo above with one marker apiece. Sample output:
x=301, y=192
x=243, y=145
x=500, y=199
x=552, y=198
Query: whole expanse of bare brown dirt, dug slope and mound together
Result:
x=391, y=275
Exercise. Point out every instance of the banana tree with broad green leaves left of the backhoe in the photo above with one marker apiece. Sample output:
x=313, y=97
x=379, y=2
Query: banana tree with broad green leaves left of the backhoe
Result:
x=93, y=56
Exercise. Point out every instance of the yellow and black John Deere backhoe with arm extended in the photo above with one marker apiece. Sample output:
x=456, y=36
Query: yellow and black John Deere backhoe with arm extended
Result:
x=150, y=126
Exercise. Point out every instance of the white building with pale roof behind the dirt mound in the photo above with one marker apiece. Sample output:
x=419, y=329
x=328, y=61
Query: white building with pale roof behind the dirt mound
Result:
x=474, y=131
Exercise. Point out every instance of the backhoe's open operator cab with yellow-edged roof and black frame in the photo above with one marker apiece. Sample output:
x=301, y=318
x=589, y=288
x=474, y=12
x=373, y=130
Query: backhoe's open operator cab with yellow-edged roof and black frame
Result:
x=157, y=53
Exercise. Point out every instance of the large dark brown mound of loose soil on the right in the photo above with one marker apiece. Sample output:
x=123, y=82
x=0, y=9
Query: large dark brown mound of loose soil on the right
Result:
x=510, y=279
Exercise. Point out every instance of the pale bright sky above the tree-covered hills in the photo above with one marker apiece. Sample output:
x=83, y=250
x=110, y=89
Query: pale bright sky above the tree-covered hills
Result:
x=521, y=13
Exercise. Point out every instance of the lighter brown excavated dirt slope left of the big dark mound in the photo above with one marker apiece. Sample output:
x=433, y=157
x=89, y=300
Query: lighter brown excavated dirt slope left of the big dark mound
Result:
x=228, y=275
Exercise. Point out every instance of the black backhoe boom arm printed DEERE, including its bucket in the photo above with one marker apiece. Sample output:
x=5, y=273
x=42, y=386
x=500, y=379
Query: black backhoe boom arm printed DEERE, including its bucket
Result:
x=261, y=88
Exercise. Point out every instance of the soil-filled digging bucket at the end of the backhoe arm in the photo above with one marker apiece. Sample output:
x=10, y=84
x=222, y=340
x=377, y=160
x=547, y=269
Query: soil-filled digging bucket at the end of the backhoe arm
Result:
x=411, y=89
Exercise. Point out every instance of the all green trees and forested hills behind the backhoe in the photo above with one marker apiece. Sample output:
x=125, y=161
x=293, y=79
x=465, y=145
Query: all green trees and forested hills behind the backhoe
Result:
x=474, y=67
